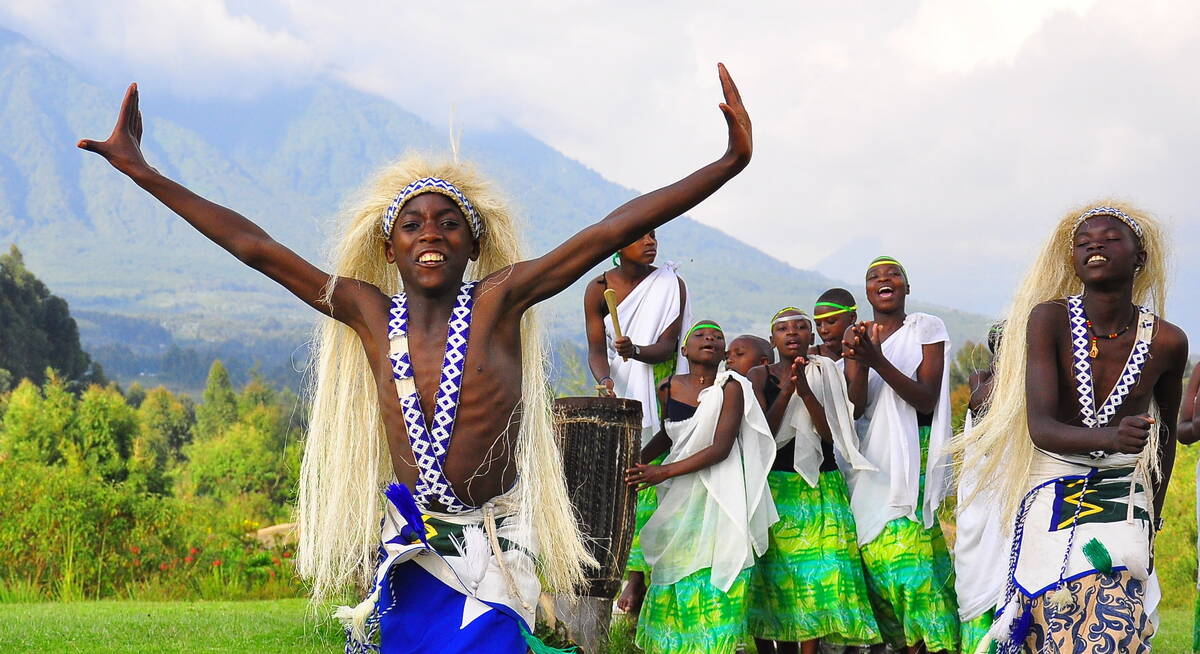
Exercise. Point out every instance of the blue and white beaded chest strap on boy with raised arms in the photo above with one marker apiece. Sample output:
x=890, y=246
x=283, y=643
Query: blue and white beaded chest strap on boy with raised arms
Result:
x=430, y=446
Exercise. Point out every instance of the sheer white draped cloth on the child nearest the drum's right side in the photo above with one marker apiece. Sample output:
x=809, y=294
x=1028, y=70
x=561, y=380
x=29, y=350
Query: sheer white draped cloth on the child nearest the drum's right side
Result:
x=717, y=518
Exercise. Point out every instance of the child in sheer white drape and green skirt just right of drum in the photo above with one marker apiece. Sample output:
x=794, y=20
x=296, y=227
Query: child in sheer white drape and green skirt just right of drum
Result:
x=713, y=515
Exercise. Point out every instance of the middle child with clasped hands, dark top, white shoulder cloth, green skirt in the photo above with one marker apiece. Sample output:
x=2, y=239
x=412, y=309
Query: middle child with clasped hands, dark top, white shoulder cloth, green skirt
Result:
x=808, y=586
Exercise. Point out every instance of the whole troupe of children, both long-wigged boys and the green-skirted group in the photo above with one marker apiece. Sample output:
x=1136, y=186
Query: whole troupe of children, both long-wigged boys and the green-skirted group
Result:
x=794, y=501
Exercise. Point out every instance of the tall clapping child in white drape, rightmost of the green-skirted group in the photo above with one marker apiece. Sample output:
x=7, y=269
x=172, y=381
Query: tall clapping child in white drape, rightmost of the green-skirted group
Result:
x=897, y=368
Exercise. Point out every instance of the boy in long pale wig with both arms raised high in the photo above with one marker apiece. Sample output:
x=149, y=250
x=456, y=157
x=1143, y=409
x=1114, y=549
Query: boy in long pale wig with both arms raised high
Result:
x=397, y=380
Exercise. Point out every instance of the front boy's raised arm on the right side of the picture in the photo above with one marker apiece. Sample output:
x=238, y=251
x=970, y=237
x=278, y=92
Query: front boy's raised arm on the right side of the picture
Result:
x=537, y=280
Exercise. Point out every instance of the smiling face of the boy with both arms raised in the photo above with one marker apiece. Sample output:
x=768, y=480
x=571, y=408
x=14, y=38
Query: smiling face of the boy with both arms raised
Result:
x=431, y=244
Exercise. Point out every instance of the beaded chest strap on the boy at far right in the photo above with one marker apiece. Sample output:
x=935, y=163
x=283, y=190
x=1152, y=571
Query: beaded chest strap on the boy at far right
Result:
x=1085, y=385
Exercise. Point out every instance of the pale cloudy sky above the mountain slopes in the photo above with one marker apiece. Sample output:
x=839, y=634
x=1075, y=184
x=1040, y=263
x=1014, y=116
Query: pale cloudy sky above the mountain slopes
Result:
x=951, y=135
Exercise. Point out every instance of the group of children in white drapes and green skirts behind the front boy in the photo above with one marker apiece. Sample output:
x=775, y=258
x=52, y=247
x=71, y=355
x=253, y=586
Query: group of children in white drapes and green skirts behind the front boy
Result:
x=789, y=495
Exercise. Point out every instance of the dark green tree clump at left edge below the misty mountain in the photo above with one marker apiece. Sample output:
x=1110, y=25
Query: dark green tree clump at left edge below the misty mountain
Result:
x=37, y=329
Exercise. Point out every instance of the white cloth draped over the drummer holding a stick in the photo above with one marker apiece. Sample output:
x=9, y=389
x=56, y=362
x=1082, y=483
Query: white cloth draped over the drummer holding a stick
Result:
x=645, y=315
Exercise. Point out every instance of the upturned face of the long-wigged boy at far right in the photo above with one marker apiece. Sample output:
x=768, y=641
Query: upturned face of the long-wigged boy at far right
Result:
x=1106, y=250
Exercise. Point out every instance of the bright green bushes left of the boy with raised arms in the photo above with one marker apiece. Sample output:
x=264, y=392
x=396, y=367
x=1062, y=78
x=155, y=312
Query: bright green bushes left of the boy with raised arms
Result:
x=105, y=500
